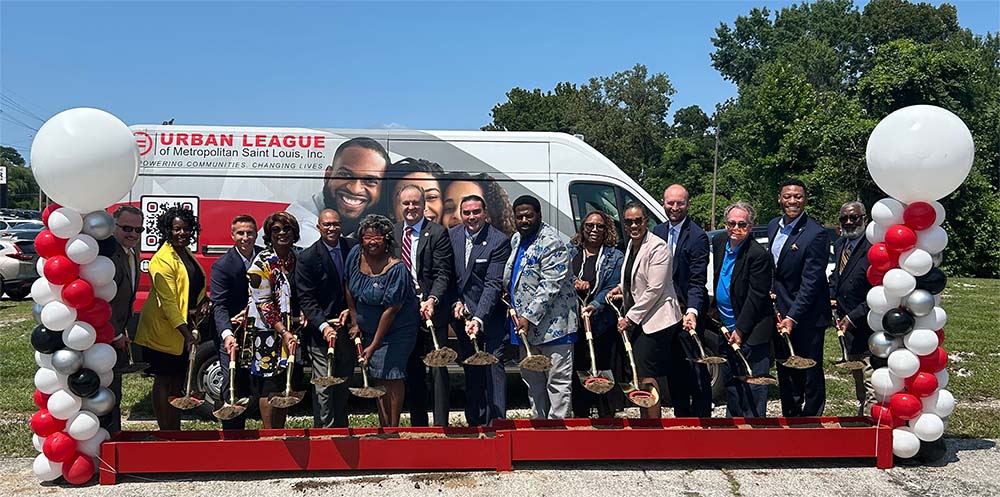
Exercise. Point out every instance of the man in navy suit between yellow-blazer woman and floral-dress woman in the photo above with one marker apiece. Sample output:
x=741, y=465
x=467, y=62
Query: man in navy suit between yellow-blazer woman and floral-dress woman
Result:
x=230, y=292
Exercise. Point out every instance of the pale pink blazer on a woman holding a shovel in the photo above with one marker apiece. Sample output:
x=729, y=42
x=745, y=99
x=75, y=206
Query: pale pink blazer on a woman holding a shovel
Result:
x=655, y=306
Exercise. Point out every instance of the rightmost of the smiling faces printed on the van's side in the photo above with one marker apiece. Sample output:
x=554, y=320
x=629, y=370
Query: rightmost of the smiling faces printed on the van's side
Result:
x=458, y=184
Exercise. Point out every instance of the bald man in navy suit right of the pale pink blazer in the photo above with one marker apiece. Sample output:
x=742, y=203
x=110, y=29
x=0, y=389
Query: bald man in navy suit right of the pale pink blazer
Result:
x=689, y=382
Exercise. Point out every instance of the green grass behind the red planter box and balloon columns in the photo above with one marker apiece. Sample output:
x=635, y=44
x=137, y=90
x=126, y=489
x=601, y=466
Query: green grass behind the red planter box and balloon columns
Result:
x=973, y=307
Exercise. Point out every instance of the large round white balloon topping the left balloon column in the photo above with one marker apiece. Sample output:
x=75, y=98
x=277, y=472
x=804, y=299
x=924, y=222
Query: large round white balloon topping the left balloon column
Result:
x=85, y=159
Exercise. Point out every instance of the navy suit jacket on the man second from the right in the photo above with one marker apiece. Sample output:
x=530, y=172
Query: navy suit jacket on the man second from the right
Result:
x=800, y=274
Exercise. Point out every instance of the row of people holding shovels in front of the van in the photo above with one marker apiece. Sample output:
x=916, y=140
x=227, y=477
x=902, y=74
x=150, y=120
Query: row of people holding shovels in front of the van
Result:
x=392, y=284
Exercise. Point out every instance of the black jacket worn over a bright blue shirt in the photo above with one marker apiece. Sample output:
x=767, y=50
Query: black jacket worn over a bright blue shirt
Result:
x=749, y=289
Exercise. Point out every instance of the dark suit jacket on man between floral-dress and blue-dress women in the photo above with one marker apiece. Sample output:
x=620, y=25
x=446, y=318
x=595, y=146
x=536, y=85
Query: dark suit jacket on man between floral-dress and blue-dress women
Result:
x=320, y=288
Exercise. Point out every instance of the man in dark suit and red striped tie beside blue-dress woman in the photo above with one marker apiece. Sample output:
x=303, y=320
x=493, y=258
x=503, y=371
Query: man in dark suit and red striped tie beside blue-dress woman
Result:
x=425, y=248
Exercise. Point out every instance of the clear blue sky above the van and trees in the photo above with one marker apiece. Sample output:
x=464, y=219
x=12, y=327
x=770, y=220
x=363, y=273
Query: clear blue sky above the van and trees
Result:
x=351, y=65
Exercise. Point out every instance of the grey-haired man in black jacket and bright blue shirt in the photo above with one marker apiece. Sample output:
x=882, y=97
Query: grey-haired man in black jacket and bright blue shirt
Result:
x=743, y=271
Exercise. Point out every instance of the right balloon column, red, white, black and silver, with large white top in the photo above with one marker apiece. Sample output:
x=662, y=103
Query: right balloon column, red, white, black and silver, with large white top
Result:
x=917, y=154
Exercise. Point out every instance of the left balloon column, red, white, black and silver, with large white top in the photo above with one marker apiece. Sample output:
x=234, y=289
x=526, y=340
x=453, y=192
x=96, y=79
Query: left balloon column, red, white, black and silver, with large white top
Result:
x=84, y=159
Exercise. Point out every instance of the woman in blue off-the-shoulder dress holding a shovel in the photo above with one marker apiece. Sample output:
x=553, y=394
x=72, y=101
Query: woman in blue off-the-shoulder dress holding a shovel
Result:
x=385, y=312
